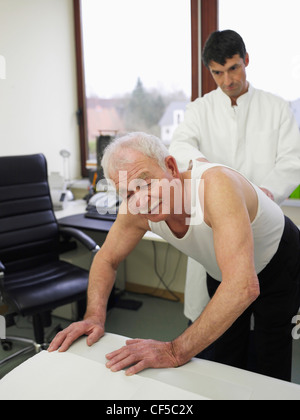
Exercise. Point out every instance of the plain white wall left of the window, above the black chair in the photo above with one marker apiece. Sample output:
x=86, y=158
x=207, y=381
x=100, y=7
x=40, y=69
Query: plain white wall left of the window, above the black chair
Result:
x=38, y=97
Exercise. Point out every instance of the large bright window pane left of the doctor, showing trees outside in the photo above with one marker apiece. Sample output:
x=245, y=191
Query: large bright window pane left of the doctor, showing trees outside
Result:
x=135, y=63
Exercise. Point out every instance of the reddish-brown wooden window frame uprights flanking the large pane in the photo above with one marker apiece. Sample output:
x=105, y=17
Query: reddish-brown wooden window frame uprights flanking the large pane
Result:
x=207, y=9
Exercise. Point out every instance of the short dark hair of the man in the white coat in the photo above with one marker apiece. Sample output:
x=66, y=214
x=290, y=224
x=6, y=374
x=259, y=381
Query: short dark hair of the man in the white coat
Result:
x=222, y=45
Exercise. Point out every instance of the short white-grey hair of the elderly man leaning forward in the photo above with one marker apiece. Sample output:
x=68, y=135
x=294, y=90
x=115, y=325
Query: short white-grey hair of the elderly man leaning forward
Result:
x=114, y=157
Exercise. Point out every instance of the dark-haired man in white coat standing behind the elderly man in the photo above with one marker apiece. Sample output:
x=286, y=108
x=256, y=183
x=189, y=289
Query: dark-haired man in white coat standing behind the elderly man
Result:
x=237, y=125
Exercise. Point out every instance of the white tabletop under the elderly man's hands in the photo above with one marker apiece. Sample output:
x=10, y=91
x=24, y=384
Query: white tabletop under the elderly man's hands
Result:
x=80, y=373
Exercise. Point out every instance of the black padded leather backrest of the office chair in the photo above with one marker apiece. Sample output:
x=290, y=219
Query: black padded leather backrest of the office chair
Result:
x=28, y=227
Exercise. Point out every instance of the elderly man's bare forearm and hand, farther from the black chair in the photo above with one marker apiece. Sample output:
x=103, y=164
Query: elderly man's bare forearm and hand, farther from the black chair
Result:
x=218, y=316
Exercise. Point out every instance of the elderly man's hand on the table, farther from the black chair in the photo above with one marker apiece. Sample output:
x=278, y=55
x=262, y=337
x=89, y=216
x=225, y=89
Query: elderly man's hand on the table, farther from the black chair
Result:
x=142, y=354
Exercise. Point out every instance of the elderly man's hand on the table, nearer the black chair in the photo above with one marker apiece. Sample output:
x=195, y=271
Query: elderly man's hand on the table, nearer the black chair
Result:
x=63, y=340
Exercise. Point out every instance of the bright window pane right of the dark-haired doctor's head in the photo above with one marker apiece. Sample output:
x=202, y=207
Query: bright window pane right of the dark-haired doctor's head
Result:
x=271, y=31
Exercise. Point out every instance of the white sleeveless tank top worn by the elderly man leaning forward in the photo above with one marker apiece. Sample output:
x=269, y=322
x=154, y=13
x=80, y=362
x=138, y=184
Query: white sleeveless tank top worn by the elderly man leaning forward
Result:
x=198, y=243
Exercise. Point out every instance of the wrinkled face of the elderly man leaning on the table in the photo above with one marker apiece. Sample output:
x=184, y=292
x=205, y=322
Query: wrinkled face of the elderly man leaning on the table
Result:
x=145, y=186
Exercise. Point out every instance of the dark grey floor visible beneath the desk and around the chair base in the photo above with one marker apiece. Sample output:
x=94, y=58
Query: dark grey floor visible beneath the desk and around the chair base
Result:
x=157, y=318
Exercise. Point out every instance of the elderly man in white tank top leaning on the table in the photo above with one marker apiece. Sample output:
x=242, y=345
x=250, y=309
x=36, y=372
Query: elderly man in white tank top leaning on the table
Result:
x=215, y=215
